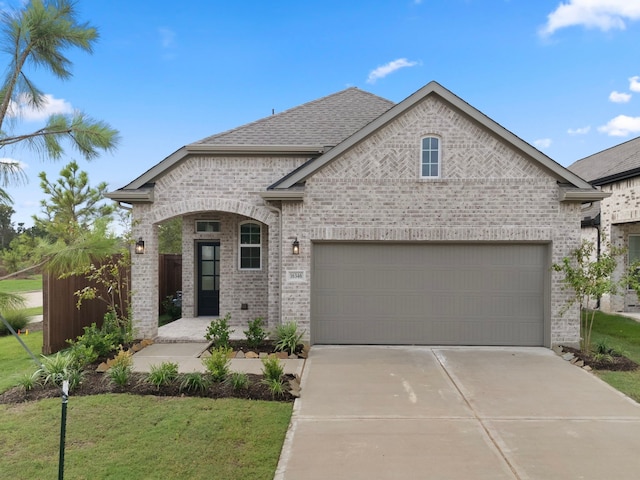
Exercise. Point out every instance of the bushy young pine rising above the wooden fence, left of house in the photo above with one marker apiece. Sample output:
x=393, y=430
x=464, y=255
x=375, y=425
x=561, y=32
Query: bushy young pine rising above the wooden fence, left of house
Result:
x=73, y=205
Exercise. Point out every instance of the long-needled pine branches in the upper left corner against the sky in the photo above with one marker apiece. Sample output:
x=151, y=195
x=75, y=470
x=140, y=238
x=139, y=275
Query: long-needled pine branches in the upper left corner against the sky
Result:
x=37, y=36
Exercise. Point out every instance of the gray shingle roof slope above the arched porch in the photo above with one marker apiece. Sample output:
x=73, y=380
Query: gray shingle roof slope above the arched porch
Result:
x=323, y=122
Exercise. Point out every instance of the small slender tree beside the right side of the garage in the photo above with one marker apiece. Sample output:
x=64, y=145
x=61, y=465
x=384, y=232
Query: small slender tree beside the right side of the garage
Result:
x=589, y=277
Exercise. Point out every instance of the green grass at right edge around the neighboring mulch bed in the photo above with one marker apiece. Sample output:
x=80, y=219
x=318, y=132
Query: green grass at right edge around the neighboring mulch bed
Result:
x=623, y=335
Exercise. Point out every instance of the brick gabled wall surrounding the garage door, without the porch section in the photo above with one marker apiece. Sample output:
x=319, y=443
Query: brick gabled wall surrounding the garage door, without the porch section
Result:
x=488, y=192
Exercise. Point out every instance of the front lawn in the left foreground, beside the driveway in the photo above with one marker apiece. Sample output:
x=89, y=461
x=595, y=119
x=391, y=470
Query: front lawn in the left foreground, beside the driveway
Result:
x=128, y=436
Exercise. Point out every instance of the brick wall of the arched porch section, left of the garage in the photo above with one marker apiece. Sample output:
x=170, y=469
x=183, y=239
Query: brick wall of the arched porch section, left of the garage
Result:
x=196, y=187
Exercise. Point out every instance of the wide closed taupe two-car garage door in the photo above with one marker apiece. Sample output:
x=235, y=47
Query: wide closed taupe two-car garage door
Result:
x=428, y=294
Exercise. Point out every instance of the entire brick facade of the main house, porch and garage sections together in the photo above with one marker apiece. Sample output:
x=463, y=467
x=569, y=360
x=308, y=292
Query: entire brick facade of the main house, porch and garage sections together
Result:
x=488, y=192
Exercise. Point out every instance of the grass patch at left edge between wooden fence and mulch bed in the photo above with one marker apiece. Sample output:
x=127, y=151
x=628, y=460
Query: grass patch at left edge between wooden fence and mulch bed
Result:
x=15, y=361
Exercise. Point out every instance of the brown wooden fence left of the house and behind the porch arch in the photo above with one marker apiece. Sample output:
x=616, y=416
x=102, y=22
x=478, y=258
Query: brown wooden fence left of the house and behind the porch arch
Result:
x=62, y=320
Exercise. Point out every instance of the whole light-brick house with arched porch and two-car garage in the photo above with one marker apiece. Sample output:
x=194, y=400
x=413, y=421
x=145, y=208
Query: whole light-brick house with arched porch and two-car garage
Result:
x=423, y=222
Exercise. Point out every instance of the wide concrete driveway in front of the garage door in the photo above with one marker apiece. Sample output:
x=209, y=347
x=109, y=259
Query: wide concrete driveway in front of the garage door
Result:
x=457, y=413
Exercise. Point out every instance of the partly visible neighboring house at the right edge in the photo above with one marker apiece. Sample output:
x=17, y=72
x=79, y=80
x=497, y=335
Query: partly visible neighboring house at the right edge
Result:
x=615, y=219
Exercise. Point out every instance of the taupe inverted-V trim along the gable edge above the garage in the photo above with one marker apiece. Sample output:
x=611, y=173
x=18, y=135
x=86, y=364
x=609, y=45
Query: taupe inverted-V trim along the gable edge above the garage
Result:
x=432, y=88
